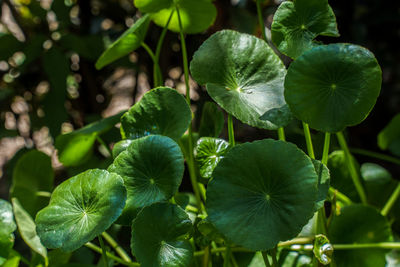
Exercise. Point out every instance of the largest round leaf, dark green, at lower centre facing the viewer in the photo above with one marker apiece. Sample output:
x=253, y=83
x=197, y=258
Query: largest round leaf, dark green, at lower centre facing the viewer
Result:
x=262, y=193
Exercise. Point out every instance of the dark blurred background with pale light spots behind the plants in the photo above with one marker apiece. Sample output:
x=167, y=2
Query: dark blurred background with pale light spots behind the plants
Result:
x=49, y=84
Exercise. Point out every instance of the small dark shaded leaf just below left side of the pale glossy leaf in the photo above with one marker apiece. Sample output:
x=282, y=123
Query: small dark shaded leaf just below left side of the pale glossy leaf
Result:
x=212, y=120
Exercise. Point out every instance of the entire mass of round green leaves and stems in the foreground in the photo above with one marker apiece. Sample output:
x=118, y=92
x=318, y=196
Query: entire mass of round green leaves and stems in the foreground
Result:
x=266, y=196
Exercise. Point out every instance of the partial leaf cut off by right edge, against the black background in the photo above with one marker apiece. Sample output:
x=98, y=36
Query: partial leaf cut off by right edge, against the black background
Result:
x=389, y=137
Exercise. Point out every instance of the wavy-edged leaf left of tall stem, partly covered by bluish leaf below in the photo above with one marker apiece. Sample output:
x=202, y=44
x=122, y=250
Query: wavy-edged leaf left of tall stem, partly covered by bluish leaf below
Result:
x=161, y=111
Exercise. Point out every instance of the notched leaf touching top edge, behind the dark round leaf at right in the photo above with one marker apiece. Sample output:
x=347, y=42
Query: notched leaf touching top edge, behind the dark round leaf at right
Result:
x=296, y=24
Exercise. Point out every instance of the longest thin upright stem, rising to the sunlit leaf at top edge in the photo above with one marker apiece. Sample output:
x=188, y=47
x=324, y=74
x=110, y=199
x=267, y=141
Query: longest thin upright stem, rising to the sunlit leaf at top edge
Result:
x=192, y=172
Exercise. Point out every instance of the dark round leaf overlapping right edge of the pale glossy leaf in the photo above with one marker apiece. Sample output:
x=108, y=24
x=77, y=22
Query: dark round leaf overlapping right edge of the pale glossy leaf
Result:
x=333, y=86
